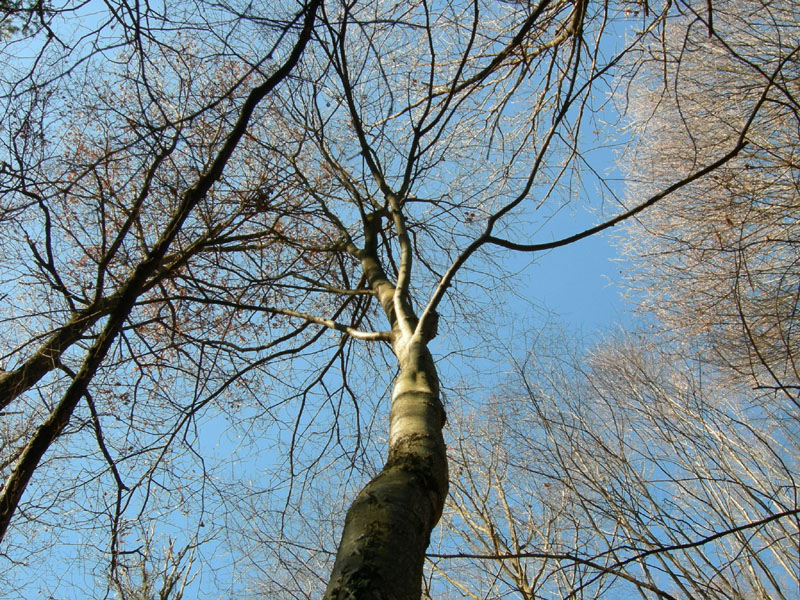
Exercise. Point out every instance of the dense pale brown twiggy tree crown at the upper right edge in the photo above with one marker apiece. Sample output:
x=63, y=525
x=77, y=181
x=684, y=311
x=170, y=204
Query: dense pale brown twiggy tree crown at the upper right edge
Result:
x=720, y=260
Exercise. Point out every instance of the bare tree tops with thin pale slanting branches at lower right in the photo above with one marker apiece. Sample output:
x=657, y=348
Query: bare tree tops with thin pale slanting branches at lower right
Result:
x=636, y=470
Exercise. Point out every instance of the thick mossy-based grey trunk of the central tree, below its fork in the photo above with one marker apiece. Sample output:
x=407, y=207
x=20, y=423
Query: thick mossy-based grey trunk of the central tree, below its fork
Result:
x=388, y=526
